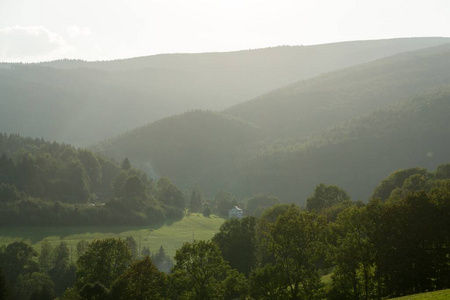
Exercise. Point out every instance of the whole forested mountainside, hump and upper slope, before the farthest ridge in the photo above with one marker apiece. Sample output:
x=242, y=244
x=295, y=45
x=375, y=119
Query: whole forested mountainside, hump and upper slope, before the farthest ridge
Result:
x=348, y=127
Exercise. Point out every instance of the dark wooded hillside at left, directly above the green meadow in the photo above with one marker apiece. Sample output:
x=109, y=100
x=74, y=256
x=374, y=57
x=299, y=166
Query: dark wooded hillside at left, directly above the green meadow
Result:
x=44, y=183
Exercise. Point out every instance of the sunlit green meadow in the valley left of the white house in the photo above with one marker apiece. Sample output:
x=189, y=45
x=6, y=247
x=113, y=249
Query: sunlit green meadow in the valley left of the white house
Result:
x=170, y=236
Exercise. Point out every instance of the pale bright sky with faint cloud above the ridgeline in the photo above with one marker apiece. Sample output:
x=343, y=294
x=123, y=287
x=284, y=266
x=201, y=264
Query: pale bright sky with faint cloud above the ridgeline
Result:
x=43, y=30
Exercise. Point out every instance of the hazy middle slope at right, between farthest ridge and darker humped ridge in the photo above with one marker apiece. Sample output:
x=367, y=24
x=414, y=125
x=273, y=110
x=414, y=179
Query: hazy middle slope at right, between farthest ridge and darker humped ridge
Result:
x=313, y=105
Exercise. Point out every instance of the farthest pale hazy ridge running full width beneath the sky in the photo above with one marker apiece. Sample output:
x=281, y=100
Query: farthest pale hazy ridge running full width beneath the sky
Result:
x=84, y=102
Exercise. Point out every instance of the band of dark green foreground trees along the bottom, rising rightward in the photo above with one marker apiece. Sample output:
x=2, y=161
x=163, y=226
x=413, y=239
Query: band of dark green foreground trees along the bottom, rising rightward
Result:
x=334, y=248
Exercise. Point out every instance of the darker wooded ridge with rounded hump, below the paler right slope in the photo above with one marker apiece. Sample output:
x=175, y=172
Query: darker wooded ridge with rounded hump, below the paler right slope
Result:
x=214, y=152
